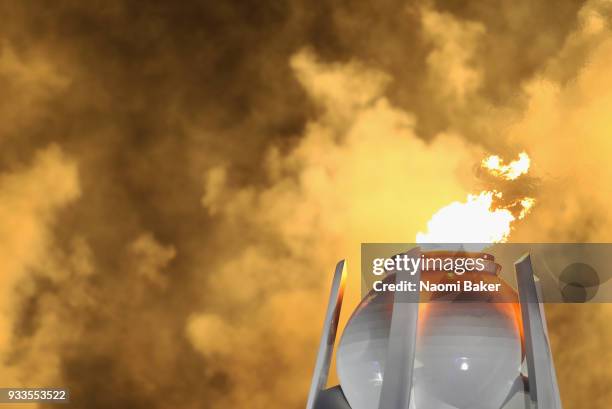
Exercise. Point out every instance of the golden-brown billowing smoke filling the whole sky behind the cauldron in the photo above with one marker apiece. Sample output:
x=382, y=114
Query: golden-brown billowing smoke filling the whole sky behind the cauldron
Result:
x=177, y=181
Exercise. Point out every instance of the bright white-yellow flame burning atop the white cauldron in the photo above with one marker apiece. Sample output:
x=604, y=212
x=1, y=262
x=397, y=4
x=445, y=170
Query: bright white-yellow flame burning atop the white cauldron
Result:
x=481, y=219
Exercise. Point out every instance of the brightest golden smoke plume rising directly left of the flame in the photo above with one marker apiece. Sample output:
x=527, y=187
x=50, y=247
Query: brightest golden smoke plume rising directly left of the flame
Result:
x=355, y=166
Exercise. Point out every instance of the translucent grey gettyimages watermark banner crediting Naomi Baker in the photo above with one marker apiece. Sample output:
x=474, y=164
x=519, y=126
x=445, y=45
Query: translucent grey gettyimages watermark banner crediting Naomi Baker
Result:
x=566, y=272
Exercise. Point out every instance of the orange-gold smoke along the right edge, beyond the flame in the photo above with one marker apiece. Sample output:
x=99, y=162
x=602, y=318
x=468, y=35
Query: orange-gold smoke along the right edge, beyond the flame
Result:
x=566, y=125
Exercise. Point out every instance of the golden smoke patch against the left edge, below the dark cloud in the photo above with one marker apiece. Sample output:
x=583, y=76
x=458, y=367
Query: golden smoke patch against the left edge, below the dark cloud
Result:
x=30, y=198
